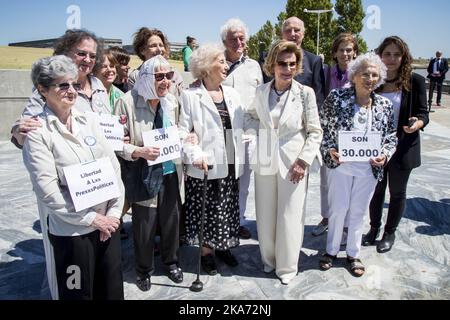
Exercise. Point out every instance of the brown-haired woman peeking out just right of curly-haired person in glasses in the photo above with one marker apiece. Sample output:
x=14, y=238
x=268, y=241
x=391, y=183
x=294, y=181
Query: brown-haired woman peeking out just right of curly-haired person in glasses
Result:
x=106, y=72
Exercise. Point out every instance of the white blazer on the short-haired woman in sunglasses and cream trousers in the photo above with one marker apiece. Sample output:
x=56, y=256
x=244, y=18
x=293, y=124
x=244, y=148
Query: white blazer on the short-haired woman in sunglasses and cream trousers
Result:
x=298, y=136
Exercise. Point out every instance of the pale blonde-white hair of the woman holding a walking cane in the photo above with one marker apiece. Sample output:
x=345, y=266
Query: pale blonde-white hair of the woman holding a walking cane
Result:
x=202, y=59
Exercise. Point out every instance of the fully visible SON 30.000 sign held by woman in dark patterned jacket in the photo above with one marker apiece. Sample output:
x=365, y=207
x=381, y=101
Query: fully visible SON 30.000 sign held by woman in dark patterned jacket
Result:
x=359, y=146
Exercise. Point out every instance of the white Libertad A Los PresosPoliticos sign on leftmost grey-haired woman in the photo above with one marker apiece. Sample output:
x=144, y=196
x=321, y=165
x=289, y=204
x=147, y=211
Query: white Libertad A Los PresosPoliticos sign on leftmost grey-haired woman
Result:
x=91, y=183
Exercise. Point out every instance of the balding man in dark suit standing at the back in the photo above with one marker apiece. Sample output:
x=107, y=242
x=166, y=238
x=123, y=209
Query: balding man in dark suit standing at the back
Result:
x=293, y=29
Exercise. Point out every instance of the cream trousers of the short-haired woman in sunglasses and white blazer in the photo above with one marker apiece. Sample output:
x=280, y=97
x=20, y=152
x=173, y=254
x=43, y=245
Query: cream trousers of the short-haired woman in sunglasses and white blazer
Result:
x=280, y=218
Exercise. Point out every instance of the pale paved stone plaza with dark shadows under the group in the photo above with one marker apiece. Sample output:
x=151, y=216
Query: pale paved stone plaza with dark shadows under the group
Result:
x=418, y=266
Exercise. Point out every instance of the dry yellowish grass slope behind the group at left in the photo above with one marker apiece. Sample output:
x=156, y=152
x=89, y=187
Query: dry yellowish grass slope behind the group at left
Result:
x=23, y=58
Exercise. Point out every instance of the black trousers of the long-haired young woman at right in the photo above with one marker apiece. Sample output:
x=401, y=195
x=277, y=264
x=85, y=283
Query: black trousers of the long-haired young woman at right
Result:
x=397, y=180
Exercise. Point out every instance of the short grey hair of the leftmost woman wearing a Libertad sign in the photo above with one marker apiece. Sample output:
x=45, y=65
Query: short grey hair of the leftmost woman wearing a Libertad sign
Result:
x=46, y=71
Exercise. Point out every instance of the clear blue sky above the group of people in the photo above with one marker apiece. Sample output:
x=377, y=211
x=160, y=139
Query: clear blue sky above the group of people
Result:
x=423, y=24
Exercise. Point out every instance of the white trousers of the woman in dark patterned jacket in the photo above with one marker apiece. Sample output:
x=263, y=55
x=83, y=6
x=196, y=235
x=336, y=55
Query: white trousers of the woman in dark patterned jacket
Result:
x=348, y=196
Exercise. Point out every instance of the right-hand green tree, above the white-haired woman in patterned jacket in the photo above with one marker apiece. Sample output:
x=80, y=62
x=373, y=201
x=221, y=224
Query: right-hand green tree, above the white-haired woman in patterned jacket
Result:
x=351, y=16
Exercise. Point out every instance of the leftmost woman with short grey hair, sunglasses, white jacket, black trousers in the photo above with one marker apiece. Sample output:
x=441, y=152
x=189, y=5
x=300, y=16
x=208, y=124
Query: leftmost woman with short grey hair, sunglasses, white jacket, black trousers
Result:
x=87, y=254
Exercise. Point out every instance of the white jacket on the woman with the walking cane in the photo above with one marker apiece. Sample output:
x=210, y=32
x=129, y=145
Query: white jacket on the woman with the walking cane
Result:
x=199, y=114
